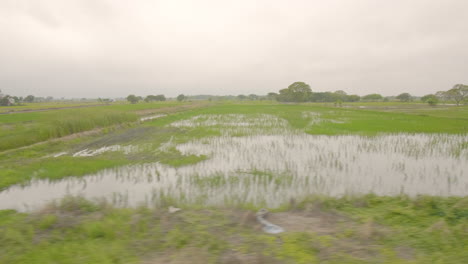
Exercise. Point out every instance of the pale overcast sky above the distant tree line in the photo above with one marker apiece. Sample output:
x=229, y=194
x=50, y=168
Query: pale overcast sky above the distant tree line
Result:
x=112, y=48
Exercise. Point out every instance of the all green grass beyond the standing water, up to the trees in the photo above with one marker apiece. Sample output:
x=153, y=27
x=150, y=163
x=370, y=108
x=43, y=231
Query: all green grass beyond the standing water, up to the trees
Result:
x=28, y=128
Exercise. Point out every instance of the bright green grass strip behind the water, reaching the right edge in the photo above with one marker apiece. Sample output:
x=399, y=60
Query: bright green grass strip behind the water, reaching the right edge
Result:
x=357, y=121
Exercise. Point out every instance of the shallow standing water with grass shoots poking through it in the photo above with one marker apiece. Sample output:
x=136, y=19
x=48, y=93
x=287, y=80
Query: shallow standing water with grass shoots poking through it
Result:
x=269, y=167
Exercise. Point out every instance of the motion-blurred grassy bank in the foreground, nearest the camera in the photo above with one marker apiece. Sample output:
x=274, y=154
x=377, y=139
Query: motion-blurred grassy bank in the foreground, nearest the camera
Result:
x=366, y=229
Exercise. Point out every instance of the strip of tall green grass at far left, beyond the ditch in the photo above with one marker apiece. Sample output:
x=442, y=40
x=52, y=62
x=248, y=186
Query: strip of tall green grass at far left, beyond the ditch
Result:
x=23, y=129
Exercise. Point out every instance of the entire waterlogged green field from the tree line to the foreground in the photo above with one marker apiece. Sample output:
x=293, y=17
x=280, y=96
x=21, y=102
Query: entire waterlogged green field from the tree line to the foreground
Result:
x=184, y=142
